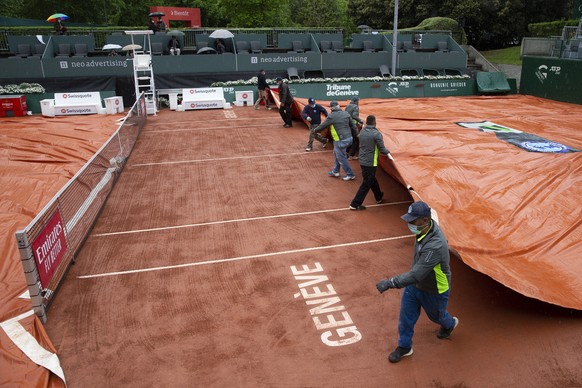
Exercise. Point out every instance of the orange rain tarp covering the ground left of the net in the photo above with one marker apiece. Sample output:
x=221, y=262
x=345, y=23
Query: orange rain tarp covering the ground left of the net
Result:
x=38, y=155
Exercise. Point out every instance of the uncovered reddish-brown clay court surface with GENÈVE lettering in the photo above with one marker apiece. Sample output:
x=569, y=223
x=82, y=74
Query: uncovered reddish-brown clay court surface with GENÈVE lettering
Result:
x=197, y=274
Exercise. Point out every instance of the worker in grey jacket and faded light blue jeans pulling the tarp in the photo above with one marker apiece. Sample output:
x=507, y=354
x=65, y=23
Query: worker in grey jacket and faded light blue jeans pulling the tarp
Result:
x=343, y=130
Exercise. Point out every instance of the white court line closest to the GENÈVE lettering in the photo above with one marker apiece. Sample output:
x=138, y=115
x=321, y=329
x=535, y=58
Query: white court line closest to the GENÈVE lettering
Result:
x=240, y=258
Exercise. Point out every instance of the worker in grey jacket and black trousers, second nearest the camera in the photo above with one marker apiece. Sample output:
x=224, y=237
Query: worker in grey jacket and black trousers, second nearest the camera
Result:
x=371, y=144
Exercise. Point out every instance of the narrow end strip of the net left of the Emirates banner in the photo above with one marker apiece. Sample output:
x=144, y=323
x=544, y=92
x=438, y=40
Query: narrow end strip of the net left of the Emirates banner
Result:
x=31, y=275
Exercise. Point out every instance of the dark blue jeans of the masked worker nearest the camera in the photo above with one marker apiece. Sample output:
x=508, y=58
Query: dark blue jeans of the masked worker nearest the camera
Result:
x=435, y=306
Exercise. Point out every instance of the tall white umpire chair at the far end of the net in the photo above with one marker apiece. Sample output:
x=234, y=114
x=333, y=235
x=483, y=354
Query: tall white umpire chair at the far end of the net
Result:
x=143, y=71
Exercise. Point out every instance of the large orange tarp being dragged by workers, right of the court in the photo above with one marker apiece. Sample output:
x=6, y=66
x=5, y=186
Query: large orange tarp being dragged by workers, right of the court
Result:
x=512, y=214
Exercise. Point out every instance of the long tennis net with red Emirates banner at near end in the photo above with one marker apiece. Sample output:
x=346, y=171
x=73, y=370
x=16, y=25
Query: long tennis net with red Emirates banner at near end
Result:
x=49, y=243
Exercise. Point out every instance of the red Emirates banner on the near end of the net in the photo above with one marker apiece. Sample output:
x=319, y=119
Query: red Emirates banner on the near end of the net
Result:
x=49, y=248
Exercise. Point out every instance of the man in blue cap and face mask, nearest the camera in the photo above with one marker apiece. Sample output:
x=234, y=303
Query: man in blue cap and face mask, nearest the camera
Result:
x=427, y=284
